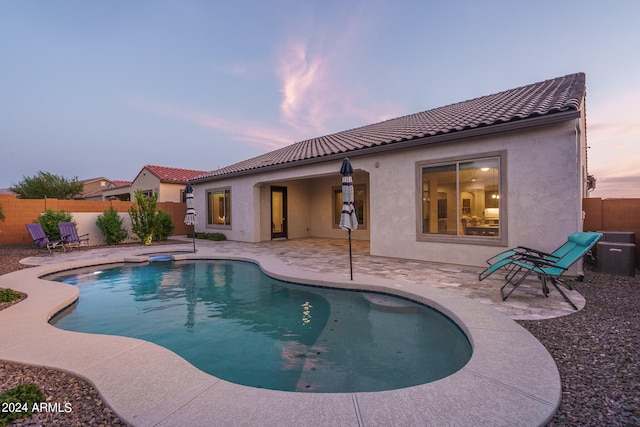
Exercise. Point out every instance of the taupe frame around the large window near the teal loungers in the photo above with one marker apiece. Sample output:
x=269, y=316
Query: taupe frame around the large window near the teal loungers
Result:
x=502, y=238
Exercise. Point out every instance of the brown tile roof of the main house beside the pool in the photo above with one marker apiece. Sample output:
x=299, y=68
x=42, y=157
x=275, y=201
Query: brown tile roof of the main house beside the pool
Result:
x=554, y=99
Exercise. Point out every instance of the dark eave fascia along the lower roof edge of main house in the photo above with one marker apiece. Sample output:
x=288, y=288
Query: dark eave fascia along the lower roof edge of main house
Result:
x=430, y=139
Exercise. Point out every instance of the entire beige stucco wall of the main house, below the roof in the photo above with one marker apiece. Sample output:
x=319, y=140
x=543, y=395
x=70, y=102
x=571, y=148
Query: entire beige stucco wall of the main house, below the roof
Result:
x=541, y=195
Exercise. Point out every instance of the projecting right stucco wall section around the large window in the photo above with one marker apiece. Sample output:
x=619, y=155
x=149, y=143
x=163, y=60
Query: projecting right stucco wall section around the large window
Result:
x=541, y=194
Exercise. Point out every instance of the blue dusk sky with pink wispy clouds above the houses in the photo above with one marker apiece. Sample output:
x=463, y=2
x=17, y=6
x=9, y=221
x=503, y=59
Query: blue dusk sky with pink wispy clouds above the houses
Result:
x=101, y=88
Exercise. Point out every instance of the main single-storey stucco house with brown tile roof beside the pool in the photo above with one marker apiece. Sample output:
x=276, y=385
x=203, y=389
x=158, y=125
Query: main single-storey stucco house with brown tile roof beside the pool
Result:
x=454, y=184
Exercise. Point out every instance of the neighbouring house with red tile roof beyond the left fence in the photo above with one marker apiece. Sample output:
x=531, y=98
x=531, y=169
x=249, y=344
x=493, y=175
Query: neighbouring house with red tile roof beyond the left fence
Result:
x=168, y=183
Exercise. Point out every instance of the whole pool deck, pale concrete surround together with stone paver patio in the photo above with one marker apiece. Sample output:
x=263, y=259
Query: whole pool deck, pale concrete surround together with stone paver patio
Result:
x=510, y=380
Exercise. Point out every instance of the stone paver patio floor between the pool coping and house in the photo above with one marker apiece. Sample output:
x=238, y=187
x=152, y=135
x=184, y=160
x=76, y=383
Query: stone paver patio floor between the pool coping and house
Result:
x=330, y=256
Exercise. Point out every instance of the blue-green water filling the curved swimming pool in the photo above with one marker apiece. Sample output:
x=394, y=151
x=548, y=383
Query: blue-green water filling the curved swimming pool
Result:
x=231, y=320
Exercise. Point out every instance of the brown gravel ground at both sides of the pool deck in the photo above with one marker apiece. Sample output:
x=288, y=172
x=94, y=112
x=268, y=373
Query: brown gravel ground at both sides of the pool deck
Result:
x=597, y=351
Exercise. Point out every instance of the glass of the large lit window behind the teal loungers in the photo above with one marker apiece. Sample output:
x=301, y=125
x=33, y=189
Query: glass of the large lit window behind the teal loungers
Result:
x=462, y=198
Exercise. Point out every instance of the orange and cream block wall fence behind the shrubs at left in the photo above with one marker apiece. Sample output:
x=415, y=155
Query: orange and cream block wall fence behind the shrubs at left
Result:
x=19, y=212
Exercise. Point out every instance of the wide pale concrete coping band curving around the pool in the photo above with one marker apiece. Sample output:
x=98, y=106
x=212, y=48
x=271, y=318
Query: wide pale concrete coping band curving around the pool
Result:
x=511, y=379
